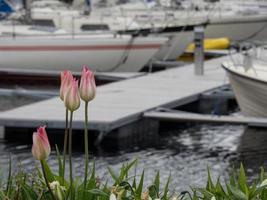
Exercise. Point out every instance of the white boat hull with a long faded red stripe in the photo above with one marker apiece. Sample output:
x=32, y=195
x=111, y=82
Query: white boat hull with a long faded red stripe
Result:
x=103, y=53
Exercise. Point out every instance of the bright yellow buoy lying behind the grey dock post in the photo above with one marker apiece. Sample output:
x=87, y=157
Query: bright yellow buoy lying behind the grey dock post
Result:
x=209, y=44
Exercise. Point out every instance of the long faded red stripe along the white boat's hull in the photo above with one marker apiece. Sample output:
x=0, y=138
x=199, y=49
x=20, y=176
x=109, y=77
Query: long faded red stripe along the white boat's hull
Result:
x=78, y=48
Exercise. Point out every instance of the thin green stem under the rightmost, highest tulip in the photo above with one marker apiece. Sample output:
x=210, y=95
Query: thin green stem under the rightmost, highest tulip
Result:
x=86, y=144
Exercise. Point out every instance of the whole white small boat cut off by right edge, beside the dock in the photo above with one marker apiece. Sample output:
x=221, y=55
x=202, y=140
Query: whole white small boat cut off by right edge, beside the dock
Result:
x=249, y=83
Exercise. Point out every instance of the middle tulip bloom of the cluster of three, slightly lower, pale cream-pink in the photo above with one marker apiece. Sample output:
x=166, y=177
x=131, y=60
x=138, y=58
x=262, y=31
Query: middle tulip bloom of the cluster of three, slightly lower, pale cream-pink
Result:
x=72, y=98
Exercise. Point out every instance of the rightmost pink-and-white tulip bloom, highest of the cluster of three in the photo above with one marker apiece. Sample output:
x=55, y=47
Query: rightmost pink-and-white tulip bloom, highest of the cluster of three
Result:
x=87, y=85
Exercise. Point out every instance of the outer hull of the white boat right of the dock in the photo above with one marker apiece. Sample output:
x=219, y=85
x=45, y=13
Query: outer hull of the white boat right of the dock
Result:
x=251, y=93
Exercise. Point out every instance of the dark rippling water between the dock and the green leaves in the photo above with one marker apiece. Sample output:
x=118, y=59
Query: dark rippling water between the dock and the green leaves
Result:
x=183, y=152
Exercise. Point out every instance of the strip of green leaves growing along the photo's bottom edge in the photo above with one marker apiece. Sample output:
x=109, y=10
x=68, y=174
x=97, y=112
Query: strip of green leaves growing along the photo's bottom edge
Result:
x=125, y=186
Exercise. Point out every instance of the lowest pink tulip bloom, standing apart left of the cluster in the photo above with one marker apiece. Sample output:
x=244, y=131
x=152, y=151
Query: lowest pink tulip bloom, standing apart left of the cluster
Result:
x=41, y=147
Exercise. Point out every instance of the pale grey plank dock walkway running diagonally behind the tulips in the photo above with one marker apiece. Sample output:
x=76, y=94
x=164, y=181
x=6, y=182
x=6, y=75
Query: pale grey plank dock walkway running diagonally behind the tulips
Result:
x=124, y=102
